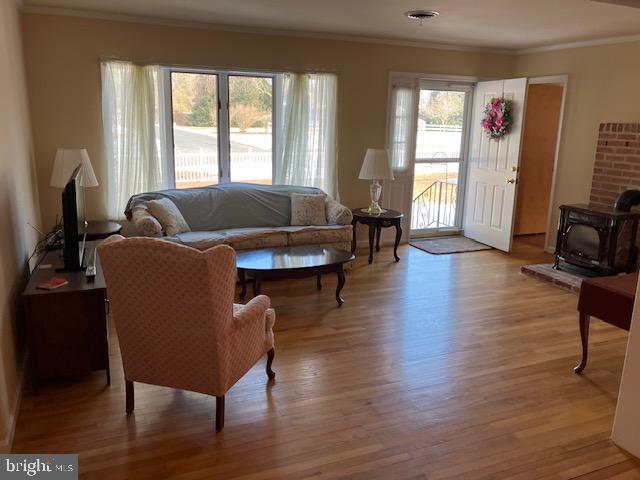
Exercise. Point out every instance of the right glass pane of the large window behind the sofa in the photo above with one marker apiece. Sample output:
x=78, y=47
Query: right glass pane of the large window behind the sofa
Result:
x=251, y=129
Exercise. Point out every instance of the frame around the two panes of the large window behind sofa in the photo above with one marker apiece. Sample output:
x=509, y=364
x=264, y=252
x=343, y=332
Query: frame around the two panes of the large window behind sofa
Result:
x=224, y=132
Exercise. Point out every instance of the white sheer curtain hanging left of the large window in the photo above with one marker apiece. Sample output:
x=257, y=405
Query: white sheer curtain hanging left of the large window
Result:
x=131, y=120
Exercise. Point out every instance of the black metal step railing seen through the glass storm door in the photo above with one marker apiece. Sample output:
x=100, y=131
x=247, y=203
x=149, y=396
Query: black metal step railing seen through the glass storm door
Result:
x=435, y=207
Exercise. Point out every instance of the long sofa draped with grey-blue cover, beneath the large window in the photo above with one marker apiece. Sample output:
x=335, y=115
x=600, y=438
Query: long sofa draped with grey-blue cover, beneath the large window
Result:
x=243, y=216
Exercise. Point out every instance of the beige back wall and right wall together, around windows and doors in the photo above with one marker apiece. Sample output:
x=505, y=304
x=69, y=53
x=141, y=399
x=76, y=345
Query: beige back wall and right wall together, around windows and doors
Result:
x=62, y=55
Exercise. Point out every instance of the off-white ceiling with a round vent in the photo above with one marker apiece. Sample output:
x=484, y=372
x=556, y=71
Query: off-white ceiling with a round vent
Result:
x=498, y=24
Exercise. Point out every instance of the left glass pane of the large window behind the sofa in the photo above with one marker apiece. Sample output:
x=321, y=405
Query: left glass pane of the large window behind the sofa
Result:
x=194, y=109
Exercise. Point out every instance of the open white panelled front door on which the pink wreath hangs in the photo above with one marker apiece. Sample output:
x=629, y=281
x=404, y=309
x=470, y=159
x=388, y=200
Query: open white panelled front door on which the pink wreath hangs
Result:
x=493, y=167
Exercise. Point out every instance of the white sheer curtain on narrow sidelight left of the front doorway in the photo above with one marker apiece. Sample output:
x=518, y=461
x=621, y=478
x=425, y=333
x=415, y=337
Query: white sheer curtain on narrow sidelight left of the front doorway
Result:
x=404, y=100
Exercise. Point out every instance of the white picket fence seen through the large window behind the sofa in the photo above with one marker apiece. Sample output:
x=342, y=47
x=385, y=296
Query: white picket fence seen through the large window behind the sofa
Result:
x=202, y=167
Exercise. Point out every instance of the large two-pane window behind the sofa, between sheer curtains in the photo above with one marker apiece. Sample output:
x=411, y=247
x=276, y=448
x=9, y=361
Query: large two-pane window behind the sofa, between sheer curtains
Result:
x=222, y=127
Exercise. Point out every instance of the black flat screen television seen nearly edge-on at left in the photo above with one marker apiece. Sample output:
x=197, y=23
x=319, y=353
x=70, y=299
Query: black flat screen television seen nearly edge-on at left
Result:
x=74, y=224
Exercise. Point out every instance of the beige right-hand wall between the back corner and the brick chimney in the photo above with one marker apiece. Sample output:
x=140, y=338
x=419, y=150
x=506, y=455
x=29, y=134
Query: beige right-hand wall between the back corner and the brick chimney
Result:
x=603, y=87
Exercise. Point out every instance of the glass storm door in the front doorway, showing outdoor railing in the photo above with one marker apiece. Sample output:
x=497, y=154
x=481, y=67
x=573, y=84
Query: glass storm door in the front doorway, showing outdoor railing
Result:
x=440, y=145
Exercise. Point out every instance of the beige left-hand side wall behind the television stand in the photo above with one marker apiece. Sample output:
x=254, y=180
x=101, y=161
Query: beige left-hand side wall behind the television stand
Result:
x=18, y=205
